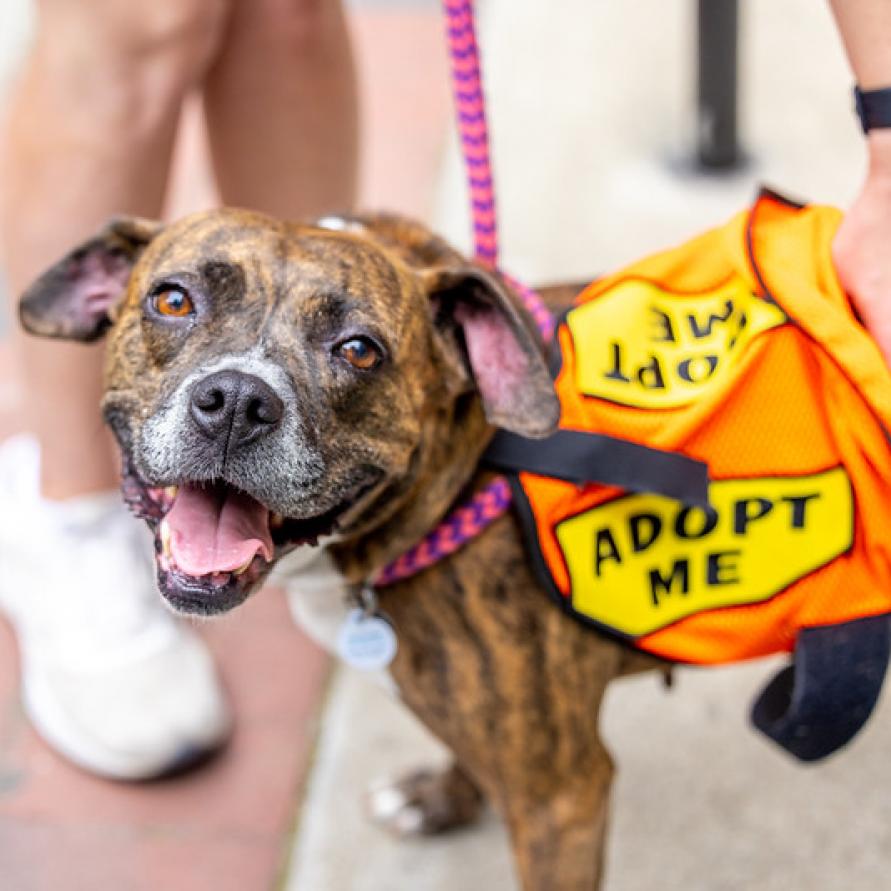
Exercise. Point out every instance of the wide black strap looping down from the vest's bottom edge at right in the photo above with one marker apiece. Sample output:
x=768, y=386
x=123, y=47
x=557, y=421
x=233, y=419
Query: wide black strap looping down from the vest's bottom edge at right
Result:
x=819, y=703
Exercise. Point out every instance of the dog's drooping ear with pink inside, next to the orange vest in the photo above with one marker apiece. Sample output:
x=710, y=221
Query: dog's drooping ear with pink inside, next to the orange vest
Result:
x=503, y=349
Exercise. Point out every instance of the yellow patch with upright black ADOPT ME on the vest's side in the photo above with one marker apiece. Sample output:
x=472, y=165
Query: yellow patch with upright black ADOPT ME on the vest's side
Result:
x=641, y=562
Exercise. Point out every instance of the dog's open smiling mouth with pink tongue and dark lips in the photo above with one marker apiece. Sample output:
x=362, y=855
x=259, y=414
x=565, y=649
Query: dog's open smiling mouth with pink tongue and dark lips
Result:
x=214, y=543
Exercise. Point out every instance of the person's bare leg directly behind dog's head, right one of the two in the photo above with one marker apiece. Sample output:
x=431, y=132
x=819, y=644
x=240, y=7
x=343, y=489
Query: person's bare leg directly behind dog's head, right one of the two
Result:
x=281, y=108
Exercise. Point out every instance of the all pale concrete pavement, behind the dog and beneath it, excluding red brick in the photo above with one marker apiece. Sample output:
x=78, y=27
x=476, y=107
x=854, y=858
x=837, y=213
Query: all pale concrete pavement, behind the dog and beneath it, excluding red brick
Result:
x=591, y=109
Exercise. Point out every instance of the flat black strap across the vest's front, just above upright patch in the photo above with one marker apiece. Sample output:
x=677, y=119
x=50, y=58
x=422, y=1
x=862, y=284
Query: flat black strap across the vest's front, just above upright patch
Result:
x=582, y=458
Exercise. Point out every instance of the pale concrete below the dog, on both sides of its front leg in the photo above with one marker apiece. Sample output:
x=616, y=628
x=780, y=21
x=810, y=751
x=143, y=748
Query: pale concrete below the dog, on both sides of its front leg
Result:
x=700, y=804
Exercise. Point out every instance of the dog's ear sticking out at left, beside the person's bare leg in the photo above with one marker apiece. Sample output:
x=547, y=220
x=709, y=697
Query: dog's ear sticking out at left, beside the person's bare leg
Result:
x=76, y=298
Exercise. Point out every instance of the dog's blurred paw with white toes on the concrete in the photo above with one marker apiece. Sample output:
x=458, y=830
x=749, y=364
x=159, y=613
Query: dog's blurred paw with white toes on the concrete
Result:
x=424, y=802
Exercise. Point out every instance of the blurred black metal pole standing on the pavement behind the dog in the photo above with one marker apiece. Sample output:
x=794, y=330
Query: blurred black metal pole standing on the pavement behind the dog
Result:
x=718, y=22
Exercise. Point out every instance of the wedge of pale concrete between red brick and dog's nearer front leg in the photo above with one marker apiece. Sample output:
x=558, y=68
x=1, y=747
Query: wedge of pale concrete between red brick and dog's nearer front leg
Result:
x=367, y=735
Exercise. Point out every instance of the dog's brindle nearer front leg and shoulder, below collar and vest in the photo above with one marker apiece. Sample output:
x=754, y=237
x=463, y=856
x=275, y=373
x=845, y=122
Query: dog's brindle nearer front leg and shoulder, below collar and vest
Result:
x=513, y=687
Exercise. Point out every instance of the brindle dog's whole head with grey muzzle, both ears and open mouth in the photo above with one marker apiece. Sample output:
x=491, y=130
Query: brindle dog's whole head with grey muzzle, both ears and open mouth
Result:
x=272, y=384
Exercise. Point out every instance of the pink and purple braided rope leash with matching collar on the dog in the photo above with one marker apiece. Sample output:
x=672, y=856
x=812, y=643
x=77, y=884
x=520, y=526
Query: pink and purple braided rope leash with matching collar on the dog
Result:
x=493, y=500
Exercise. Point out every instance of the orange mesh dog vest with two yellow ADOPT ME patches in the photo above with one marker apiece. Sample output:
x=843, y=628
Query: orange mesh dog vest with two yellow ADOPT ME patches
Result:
x=739, y=350
